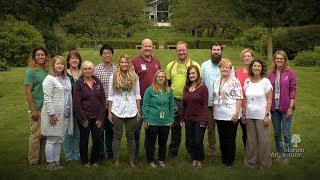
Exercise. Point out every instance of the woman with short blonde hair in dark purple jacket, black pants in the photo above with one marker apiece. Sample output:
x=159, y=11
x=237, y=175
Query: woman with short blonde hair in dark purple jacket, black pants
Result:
x=89, y=101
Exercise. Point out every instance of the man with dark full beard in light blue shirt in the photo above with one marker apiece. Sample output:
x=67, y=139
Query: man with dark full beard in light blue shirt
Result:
x=211, y=71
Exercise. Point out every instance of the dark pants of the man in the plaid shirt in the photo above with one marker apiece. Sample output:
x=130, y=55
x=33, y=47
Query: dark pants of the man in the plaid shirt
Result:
x=107, y=138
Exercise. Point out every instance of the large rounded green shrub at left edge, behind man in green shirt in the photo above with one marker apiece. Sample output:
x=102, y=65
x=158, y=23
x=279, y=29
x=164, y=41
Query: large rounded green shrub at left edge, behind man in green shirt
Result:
x=17, y=39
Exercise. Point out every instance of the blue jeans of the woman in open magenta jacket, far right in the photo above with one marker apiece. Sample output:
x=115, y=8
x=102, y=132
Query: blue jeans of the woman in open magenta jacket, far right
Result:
x=282, y=126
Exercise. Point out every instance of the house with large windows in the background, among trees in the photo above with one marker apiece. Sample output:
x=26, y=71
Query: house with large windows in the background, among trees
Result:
x=158, y=12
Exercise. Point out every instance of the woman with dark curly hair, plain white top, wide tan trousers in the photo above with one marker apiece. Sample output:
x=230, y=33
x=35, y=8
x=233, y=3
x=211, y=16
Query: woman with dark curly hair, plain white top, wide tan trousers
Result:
x=258, y=90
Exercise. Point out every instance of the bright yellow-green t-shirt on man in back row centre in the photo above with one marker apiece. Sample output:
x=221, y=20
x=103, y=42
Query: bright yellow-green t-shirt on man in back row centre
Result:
x=176, y=72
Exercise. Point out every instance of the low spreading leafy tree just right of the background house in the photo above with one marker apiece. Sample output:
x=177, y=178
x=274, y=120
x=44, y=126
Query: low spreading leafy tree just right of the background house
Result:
x=204, y=14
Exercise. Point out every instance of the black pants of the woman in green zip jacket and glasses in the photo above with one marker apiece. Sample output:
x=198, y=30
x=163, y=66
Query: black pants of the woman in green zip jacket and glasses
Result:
x=152, y=132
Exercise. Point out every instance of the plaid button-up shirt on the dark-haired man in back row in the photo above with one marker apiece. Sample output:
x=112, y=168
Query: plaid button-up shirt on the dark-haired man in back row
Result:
x=103, y=73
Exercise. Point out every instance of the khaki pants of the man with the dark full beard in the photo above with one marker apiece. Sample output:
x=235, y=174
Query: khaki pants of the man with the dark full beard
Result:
x=211, y=129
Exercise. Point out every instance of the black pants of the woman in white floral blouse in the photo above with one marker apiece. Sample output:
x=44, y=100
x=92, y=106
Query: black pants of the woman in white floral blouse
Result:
x=227, y=136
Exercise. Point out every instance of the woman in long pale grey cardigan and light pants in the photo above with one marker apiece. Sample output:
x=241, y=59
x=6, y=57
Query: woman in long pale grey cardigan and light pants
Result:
x=56, y=114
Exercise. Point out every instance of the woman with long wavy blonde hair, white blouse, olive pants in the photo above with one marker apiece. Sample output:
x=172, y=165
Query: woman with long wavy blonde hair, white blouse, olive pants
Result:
x=124, y=106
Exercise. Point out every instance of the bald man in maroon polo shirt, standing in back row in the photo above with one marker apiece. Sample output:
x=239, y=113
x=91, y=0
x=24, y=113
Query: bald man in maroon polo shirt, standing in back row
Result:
x=145, y=65
